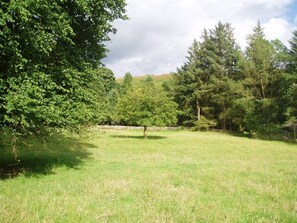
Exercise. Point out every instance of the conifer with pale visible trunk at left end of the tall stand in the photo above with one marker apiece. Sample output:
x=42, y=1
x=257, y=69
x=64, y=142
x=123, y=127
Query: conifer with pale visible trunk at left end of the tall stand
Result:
x=190, y=82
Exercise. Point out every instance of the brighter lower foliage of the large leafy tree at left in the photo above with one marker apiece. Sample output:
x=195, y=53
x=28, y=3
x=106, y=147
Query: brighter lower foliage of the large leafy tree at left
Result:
x=37, y=102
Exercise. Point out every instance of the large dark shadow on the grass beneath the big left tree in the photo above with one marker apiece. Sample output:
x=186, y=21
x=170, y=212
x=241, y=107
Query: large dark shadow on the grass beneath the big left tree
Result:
x=36, y=158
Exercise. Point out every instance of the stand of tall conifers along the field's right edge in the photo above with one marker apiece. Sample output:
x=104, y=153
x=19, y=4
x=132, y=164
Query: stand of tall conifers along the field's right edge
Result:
x=221, y=86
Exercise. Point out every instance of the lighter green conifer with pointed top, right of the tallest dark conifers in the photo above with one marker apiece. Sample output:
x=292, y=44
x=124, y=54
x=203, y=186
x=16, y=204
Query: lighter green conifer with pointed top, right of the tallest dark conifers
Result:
x=262, y=66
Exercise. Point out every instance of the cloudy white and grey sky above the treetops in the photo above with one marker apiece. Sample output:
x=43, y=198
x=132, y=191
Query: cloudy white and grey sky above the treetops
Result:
x=158, y=33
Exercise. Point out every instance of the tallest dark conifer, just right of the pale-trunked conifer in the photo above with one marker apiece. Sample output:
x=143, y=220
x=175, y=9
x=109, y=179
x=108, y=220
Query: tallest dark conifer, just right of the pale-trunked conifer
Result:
x=224, y=56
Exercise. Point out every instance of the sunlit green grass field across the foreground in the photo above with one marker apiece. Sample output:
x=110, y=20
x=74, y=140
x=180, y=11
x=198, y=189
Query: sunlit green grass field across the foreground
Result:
x=174, y=176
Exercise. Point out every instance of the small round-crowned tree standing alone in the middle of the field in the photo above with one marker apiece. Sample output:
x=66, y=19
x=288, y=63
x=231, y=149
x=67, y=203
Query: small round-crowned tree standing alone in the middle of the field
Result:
x=146, y=106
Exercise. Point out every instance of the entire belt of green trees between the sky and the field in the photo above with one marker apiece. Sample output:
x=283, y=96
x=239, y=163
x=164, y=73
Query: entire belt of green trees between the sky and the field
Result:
x=52, y=76
